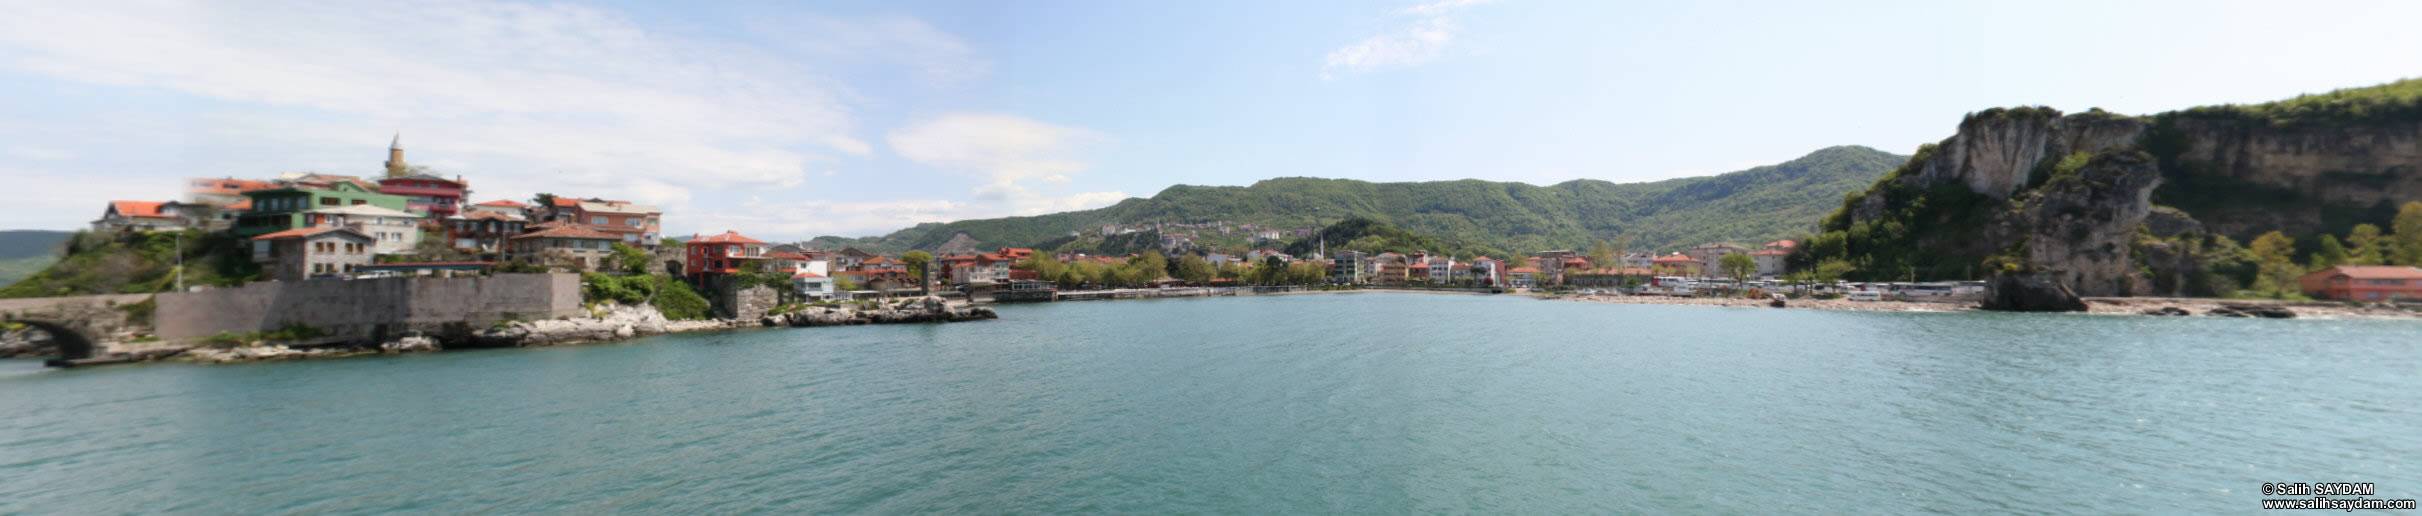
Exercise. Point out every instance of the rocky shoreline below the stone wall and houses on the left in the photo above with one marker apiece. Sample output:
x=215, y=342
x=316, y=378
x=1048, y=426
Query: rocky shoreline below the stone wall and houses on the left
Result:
x=609, y=326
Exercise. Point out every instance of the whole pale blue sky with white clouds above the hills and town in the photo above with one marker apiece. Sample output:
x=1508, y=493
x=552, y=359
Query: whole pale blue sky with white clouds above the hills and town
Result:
x=793, y=120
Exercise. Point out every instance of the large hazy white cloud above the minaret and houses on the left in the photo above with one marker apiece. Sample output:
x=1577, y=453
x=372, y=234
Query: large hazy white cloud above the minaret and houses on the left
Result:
x=517, y=98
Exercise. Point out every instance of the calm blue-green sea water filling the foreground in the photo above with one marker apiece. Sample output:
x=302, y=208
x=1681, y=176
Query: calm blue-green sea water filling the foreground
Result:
x=1367, y=403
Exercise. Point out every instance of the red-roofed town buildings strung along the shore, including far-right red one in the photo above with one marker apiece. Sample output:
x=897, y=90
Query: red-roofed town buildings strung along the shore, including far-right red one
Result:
x=309, y=227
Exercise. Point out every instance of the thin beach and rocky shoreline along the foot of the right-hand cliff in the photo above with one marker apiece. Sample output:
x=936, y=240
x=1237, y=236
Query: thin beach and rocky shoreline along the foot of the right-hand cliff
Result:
x=2106, y=306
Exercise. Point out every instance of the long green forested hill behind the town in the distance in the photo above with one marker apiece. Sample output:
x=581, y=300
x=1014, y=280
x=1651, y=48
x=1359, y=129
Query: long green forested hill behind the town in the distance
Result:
x=1740, y=207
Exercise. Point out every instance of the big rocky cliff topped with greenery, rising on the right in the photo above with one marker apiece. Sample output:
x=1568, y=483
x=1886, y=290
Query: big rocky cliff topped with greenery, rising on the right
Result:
x=2070, y=200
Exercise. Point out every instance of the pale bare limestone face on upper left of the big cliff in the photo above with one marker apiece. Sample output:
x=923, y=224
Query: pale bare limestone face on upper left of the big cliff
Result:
x=1999, y=151
